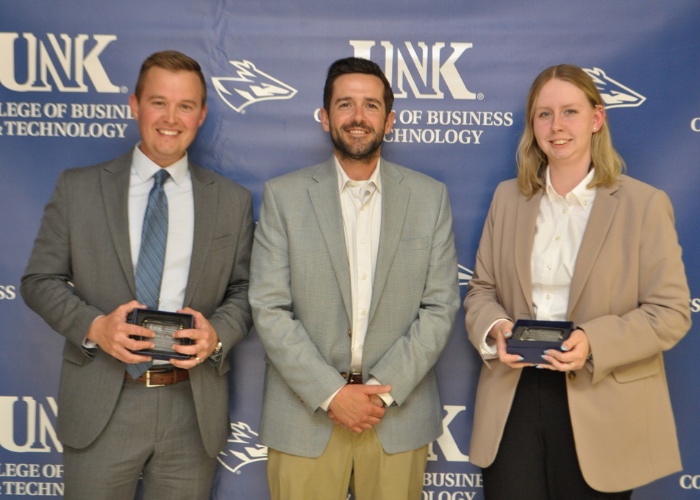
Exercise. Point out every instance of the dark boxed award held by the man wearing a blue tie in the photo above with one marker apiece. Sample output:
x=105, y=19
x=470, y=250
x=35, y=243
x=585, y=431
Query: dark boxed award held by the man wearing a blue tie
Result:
x=163, y=324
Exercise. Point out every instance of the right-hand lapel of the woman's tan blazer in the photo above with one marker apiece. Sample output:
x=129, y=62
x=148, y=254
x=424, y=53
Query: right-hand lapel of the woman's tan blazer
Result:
x=602, y=214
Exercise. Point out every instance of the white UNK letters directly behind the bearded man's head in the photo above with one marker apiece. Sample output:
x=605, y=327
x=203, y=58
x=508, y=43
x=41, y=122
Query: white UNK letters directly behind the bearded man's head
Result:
x=422, y=69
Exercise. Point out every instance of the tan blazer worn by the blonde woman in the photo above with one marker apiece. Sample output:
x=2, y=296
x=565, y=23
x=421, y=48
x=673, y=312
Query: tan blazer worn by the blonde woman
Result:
x=628, y=293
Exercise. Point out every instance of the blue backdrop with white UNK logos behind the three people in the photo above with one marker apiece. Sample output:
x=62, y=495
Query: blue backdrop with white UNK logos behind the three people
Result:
x=460, y=70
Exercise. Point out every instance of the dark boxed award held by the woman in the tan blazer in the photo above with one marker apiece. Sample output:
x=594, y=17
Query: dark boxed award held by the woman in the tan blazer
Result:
x=531, y=338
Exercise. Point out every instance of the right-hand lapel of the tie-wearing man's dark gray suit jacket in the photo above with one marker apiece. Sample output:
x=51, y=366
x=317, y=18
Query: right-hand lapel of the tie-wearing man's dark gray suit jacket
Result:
x=206, y=199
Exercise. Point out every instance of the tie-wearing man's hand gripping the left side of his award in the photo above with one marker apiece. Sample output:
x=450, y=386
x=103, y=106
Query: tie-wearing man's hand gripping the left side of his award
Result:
x=112, y=334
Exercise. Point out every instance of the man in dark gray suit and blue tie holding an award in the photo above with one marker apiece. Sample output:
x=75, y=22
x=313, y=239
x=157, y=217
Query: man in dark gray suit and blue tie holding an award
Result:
x=171, y=422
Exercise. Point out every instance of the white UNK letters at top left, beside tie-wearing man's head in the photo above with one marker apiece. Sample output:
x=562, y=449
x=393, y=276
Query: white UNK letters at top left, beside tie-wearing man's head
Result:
x=61, y=61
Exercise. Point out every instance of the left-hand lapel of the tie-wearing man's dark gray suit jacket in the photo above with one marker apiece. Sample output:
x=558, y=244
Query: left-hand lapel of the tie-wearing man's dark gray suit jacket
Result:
x=114, y=181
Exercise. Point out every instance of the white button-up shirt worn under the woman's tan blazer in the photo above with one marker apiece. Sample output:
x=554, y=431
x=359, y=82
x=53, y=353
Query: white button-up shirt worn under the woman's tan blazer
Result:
x=561, y=222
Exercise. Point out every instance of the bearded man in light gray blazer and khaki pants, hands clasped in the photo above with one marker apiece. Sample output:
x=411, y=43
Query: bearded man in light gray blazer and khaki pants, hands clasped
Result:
x=354, y=295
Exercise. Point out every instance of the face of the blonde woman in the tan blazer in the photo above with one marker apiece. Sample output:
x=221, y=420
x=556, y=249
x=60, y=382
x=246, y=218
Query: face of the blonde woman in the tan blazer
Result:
x=564, y=121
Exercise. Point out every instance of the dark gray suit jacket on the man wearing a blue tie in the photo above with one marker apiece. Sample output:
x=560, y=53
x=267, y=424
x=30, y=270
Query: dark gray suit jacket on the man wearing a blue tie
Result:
x=81, y=267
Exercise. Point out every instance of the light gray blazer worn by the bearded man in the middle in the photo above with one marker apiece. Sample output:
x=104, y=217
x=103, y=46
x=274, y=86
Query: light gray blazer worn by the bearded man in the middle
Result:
x=301, y=300
